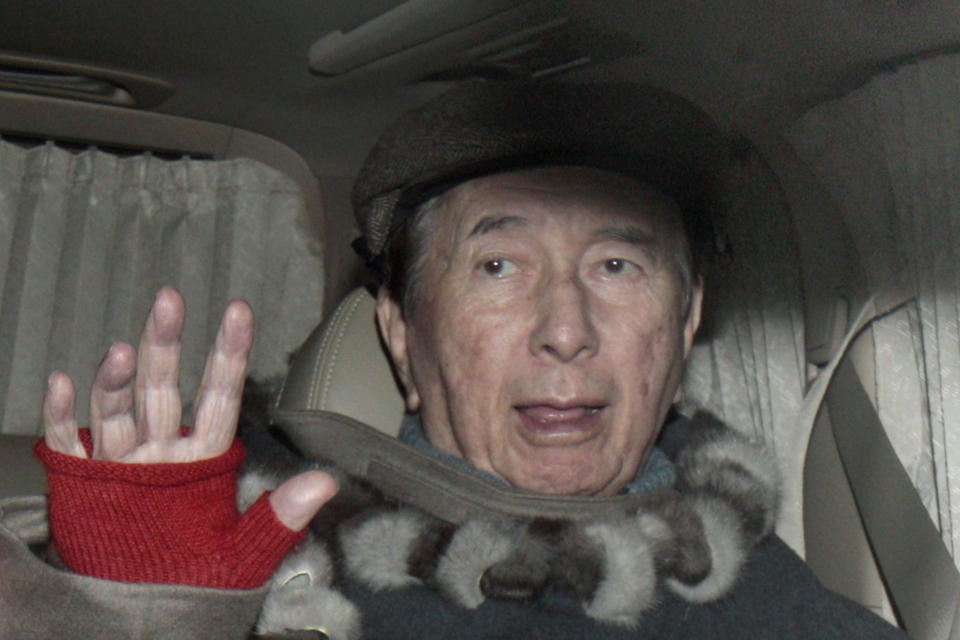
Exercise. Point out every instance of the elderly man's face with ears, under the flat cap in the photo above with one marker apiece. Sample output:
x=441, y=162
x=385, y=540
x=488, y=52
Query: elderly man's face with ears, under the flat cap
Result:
x=548, y=335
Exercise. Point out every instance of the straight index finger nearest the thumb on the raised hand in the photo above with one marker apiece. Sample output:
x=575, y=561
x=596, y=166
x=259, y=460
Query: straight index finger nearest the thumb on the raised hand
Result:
x=221, y=389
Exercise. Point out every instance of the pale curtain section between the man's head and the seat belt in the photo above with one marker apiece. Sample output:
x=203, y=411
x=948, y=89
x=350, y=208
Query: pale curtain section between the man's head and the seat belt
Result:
x=747, y=365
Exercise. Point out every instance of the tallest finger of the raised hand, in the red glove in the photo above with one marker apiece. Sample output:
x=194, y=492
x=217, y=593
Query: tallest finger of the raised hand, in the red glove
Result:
x=157, y=389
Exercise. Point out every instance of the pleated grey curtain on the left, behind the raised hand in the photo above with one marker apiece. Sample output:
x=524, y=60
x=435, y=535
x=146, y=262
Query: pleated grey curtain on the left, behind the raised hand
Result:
x=87, y=238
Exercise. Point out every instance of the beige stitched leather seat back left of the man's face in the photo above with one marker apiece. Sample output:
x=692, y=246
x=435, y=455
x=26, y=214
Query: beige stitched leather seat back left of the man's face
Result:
x=342, y=367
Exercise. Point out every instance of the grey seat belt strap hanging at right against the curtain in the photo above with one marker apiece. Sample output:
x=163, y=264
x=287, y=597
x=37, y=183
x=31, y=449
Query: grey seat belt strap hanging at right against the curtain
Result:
x=921, y=576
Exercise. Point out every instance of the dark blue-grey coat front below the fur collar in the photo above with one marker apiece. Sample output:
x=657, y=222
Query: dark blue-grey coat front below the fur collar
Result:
x=778, y=597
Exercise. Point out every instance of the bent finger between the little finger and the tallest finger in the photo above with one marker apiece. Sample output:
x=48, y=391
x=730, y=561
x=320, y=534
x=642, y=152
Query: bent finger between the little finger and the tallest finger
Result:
x=111, y=404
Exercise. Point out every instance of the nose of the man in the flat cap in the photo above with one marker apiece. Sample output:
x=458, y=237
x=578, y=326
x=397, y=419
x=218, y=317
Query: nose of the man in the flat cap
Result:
x=564, y=327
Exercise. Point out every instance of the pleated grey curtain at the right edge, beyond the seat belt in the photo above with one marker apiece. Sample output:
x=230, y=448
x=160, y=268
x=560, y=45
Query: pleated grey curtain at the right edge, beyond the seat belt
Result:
x=889, y=154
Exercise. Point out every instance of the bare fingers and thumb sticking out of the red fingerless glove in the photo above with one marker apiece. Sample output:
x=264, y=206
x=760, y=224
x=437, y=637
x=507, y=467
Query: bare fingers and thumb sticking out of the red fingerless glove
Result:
x=135, y=407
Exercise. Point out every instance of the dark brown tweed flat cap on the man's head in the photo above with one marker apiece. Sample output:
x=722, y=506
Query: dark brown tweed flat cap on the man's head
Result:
x=480, y=128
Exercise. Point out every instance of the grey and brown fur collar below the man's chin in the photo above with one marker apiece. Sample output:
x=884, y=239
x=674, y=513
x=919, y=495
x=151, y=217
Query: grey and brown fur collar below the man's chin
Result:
x=693, y=540
